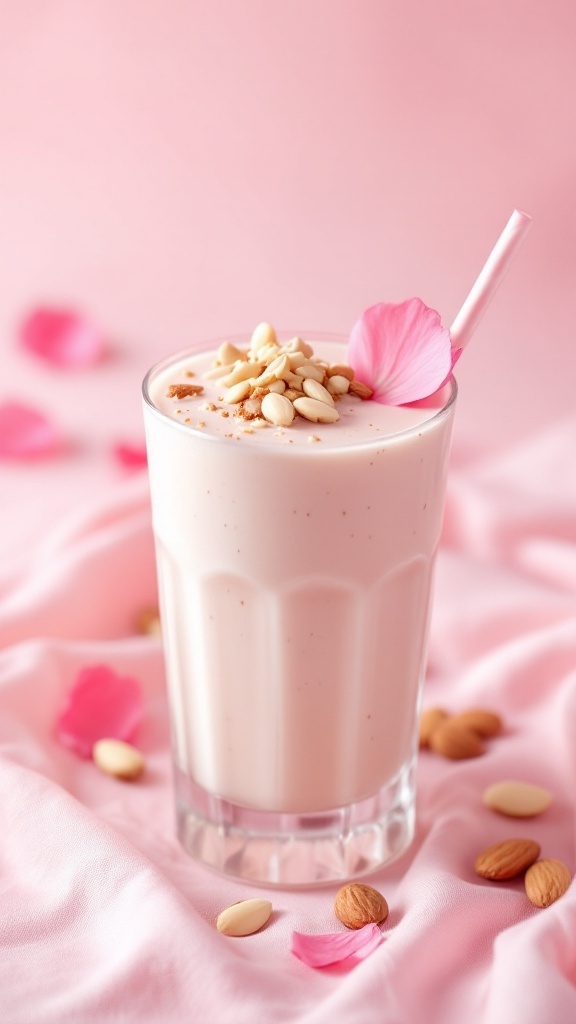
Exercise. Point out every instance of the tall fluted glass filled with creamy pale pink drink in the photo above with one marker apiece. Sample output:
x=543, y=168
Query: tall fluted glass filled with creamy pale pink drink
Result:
x=295, y=565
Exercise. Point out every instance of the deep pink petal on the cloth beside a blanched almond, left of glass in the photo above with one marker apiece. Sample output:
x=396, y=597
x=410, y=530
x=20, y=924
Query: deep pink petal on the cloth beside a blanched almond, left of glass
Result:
x=100, y=706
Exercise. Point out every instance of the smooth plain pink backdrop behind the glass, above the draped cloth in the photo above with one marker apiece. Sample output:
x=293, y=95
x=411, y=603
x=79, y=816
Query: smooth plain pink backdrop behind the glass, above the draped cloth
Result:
x=184, y=170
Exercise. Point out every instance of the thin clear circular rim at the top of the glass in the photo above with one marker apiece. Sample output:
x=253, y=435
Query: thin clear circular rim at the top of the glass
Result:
x=212, y=346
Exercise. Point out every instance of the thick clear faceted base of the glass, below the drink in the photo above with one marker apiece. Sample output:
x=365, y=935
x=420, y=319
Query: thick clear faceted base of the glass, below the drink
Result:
x=297, y=850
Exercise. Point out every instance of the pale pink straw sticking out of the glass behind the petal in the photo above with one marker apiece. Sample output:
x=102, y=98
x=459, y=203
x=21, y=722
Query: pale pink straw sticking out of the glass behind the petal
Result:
x=490, y=279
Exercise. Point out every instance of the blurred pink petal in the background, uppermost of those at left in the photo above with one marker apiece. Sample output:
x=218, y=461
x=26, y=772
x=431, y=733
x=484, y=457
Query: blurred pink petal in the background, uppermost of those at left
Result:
x=63, y=337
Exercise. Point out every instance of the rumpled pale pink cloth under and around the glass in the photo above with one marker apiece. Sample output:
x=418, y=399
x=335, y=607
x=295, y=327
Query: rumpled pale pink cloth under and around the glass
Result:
x=105, y=919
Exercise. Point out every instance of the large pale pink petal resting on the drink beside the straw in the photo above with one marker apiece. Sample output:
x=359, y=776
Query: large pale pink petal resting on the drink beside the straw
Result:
x=401, y=352
